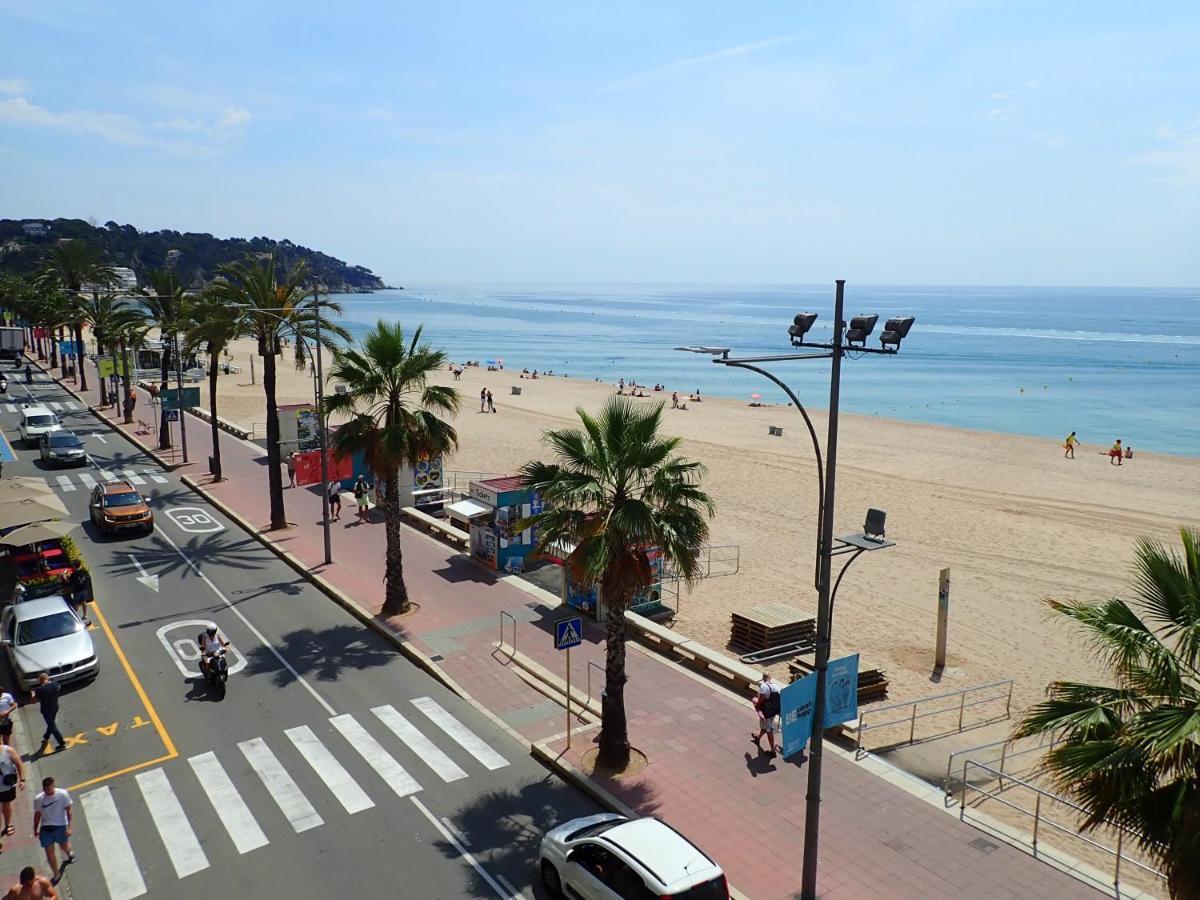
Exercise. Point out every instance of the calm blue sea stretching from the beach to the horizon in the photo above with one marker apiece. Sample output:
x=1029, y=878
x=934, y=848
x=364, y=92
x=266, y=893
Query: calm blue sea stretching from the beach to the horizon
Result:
x=1106, y=363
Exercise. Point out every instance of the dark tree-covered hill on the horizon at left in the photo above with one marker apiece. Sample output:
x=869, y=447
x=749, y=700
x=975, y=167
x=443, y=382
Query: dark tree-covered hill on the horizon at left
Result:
x=193, y=255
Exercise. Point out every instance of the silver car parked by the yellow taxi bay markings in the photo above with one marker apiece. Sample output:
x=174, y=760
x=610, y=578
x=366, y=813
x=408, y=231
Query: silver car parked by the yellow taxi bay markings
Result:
x=45, y=635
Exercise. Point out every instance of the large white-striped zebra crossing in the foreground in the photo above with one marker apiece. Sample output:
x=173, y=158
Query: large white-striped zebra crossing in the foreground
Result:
x=177, y=826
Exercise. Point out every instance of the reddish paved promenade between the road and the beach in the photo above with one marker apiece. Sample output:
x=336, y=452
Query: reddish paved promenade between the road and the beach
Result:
x=704, y=776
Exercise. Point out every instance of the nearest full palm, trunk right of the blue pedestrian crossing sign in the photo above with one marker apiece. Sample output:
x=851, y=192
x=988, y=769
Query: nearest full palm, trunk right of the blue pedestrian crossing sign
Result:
x=617, y=493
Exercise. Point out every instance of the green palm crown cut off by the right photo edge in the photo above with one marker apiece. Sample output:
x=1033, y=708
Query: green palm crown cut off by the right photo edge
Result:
x=1131, y=754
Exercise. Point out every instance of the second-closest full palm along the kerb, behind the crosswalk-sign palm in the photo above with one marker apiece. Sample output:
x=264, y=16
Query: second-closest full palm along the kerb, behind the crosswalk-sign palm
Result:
x=394, y=422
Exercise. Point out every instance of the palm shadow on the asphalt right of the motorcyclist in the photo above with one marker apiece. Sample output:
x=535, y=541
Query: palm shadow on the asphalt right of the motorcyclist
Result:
x=321, y=655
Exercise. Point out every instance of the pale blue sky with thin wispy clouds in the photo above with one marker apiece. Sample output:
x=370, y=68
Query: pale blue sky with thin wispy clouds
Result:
x=935, y=142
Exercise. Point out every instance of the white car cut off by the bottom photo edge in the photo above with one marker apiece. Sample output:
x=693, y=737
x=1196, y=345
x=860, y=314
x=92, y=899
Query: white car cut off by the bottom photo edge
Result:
x=610, y=857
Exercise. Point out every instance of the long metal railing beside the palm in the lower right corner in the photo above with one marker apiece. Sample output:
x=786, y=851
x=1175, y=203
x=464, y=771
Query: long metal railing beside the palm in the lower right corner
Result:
x=1093, y=847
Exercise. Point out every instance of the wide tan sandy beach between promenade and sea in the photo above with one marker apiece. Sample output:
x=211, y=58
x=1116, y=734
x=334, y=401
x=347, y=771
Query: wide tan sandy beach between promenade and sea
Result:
x=1012, y=520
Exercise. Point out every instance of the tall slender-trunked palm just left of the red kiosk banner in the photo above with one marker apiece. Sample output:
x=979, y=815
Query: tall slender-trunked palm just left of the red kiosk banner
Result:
x=273, y=308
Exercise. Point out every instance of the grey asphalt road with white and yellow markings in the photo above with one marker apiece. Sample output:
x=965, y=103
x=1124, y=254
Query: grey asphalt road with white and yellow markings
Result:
x=333, y=767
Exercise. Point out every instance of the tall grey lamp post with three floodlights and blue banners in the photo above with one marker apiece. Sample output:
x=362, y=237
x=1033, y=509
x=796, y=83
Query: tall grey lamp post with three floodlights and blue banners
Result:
x=855, y=338
